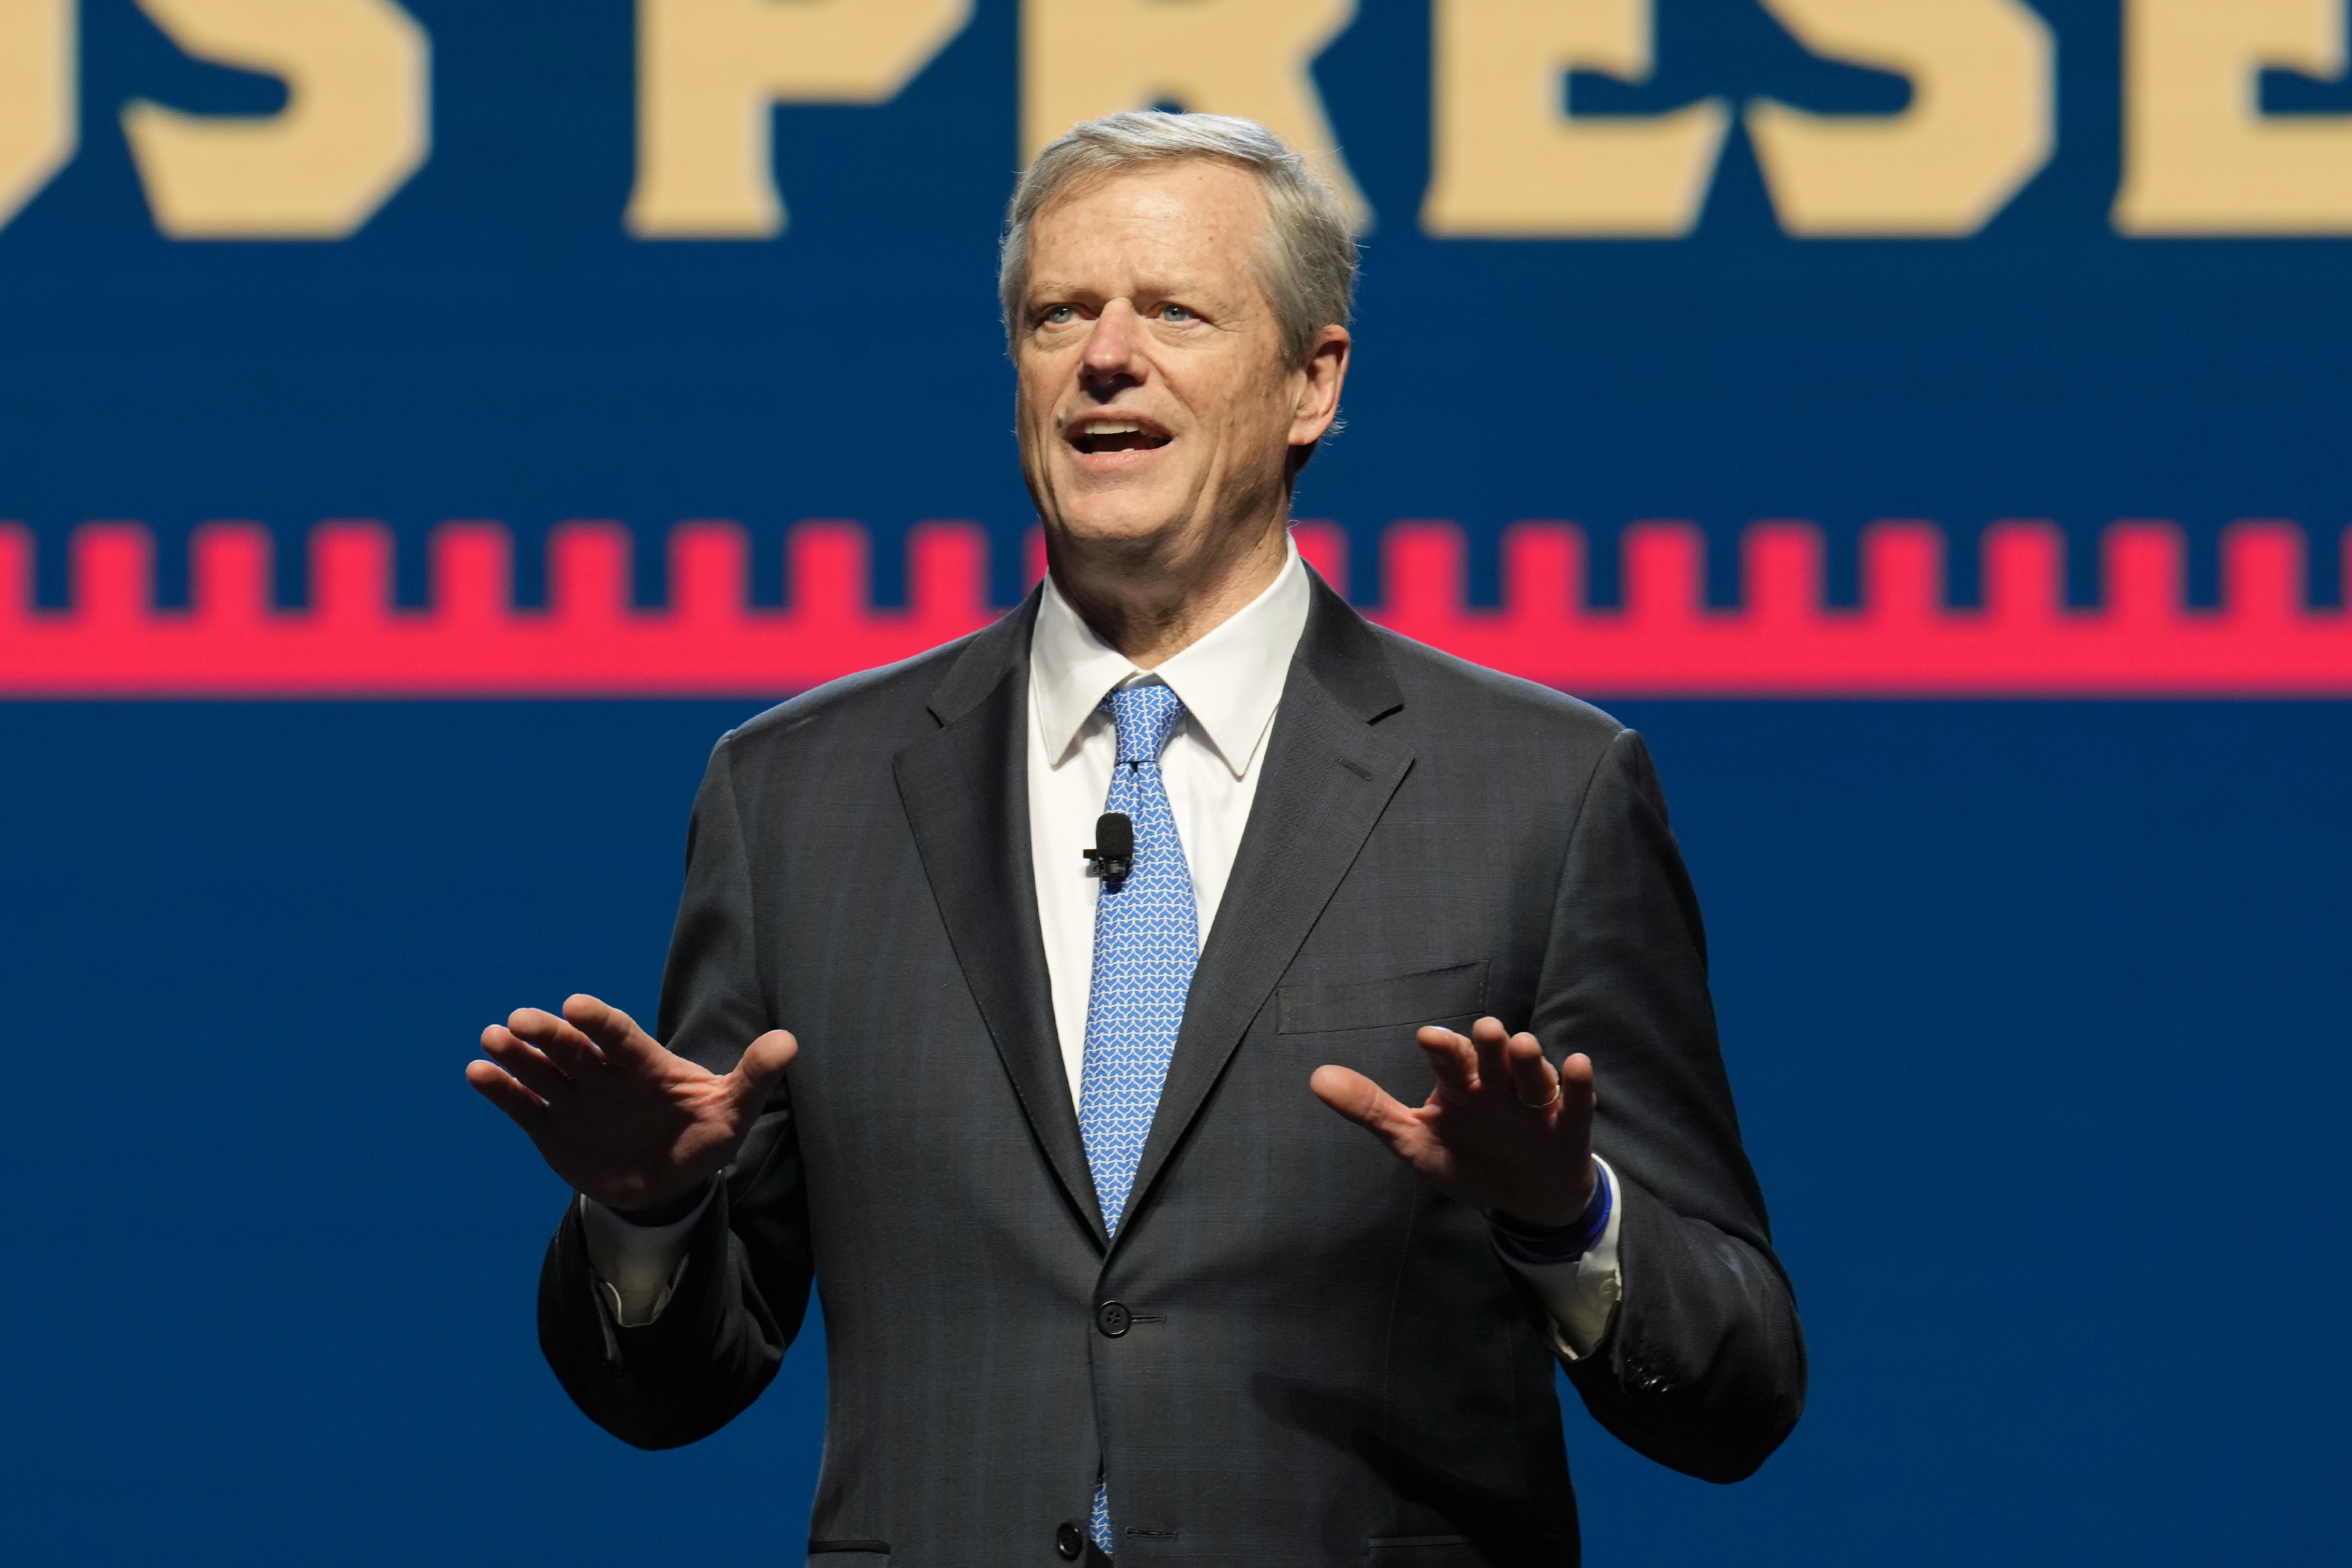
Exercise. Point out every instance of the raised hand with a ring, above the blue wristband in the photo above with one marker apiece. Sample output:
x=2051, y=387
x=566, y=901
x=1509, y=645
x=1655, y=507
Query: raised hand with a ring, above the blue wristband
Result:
x=1504, y=1130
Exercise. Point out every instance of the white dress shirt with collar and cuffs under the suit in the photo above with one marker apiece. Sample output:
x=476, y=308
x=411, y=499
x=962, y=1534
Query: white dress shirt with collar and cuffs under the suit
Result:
x=1229, y=685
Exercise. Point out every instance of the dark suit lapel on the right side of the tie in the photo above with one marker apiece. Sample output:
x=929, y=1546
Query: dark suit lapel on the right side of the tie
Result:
x=1330, y=775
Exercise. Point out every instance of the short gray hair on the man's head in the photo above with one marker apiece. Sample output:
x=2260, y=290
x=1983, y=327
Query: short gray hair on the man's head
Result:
x=1307, y=260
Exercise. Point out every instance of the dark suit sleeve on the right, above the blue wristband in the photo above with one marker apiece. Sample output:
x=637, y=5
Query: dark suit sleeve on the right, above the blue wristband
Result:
x=1704, y=1362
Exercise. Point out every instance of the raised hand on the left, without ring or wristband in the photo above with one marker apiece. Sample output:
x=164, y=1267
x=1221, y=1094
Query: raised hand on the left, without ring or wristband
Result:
x=613, y=1113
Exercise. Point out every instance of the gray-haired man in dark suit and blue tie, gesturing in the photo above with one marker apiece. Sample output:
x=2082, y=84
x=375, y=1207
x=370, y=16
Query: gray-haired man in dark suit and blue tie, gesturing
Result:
x=1053, y=1132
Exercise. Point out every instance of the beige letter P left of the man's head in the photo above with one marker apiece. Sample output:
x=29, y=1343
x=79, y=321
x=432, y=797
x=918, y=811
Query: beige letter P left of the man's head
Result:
x=709, y=72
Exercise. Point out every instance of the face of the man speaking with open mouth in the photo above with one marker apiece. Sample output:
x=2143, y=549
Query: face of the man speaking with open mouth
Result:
x=1154, y=401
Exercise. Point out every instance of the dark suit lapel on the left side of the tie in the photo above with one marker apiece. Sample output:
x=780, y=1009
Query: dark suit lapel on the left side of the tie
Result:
x=965, y=793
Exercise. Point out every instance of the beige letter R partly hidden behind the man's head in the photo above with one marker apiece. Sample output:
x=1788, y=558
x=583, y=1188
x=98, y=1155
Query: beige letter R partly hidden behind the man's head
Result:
x=1083, y=60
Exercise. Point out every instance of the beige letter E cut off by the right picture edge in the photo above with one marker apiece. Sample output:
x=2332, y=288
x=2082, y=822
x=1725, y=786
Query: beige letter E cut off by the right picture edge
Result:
x=2200, y=156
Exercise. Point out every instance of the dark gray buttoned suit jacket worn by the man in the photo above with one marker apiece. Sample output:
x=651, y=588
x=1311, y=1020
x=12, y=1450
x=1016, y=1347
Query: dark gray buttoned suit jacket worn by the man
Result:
x=1325, y=1362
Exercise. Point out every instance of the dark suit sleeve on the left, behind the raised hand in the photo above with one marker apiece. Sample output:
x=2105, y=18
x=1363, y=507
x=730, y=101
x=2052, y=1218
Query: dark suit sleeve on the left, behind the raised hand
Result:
x=747, y=1275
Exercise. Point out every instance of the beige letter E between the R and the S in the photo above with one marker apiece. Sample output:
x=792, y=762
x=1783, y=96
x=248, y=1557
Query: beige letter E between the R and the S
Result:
x=1511, y=163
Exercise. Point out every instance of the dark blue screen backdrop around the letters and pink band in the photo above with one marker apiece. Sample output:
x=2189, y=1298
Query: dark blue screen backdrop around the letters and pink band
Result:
x=2036, y=1012
